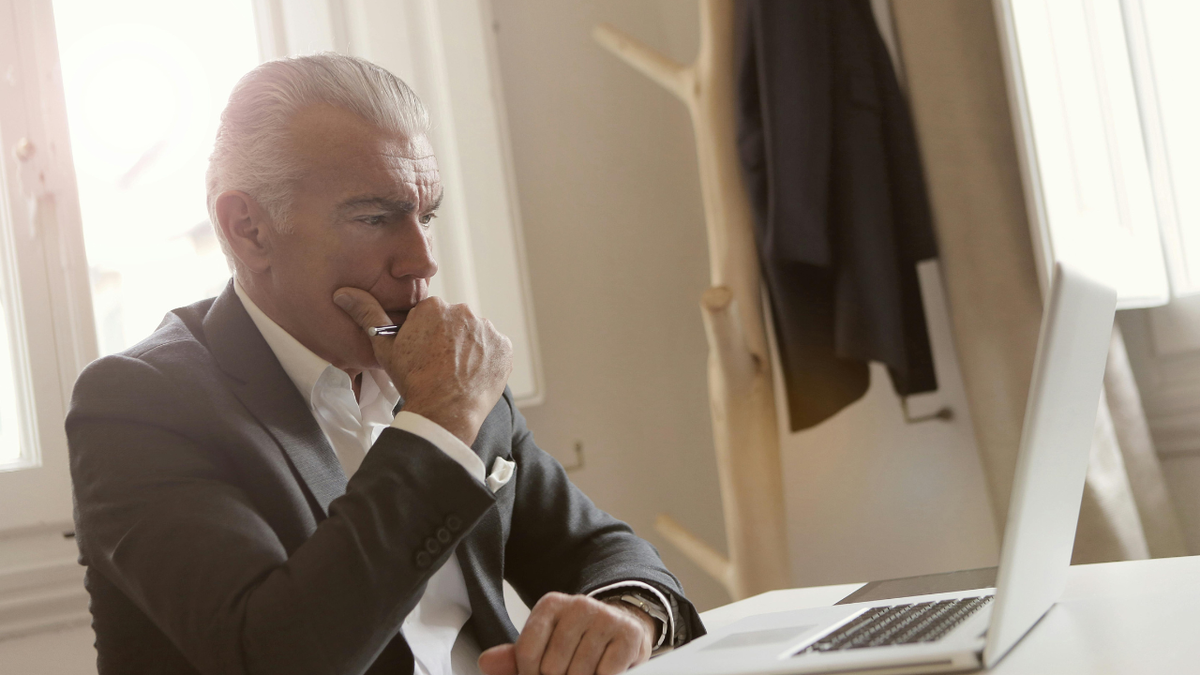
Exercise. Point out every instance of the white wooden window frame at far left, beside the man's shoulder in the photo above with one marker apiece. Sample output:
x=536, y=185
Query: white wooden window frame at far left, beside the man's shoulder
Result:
x=47, y=285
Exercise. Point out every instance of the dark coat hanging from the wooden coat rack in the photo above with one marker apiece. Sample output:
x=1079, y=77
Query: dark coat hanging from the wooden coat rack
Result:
x=835, y=176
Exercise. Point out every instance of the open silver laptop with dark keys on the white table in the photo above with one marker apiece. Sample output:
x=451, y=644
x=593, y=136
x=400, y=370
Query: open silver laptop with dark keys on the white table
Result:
x=973, y=630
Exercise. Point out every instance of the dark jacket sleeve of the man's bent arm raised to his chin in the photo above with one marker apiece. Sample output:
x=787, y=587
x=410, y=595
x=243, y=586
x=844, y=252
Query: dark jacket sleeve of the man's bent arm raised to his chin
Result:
x=165, y=518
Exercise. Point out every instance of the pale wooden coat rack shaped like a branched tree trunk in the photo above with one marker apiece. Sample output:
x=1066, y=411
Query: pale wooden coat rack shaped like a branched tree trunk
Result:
x=741, y=391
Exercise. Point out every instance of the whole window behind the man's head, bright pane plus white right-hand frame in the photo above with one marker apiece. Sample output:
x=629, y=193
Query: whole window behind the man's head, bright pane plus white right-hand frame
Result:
x=146, y=83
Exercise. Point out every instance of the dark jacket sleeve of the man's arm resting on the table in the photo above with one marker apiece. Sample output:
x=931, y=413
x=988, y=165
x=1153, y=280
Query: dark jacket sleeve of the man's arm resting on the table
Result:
x=562, y=542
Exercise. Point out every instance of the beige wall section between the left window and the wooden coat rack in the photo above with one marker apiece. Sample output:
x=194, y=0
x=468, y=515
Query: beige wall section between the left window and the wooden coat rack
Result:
x=614, y=228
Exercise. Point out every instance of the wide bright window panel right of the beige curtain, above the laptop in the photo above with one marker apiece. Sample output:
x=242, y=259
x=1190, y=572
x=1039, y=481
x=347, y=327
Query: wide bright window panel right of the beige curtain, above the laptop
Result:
x=1079, y=124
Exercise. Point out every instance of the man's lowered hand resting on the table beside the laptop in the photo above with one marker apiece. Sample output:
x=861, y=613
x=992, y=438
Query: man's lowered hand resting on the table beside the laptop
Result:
x=575, y=636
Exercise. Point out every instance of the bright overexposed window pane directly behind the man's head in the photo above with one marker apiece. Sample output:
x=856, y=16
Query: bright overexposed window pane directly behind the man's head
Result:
x=146, y=82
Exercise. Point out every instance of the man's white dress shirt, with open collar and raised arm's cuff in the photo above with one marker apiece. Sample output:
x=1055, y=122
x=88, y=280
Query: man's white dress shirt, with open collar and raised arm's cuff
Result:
x=352, y=427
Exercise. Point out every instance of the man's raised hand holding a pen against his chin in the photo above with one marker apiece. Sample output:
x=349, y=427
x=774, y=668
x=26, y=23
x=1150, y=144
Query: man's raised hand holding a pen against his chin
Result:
x=448, y=365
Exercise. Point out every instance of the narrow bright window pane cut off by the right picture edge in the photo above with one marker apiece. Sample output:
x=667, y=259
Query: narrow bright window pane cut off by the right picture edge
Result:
x=1171, y=29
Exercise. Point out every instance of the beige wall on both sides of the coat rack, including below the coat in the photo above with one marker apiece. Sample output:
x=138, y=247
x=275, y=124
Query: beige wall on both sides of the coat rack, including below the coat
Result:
x=614, y=228
